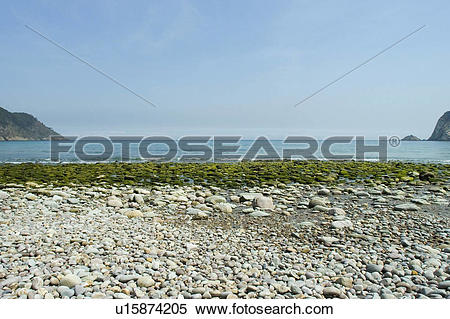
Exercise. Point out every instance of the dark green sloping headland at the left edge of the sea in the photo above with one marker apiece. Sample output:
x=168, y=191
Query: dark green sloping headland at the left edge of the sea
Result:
x=17, y=126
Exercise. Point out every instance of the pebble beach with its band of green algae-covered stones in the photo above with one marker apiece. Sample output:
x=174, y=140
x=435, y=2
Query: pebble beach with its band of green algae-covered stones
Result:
x=306, y=229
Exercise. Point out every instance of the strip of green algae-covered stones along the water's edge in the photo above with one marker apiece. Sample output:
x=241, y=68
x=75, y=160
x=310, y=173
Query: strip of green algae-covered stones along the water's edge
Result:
x=231, y=175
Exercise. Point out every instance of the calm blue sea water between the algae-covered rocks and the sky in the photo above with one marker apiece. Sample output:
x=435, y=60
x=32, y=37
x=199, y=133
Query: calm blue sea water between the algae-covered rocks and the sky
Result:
x=40, y=152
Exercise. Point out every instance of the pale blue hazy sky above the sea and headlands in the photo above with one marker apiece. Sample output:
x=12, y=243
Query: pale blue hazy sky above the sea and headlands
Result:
x=227, y=67
